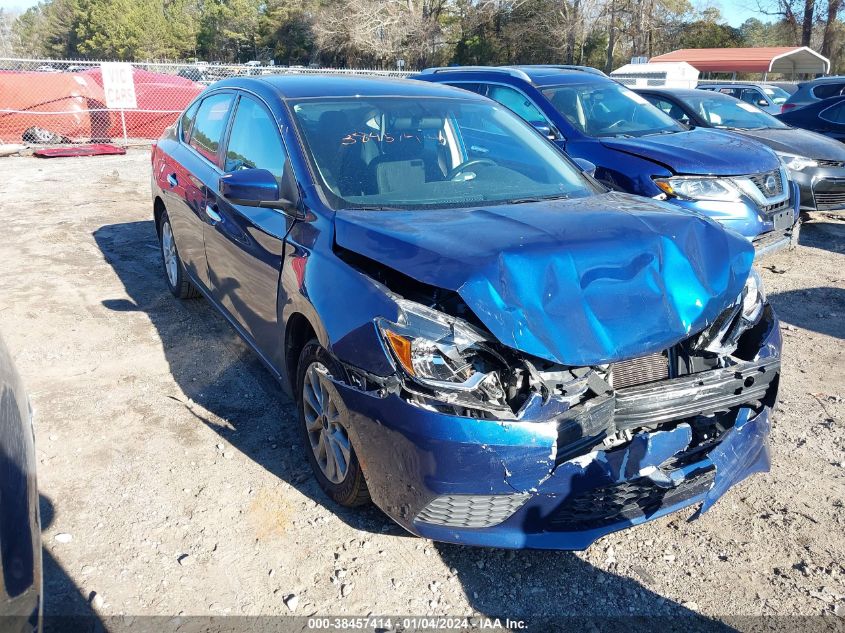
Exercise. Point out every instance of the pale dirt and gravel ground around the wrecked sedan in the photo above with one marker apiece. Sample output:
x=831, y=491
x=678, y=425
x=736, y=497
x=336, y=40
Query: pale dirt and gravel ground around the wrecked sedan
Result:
x=168, y=454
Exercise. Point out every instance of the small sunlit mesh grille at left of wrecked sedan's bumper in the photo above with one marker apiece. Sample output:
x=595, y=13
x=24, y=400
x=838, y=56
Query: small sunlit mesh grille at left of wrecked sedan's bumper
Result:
x=471, y=511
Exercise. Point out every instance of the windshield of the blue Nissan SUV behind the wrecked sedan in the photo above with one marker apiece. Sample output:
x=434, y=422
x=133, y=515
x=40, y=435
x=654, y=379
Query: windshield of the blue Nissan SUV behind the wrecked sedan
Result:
x=609, y=110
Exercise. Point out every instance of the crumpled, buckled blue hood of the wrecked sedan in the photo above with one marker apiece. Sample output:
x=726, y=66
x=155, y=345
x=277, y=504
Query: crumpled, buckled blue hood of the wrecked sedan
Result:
x=580, y=282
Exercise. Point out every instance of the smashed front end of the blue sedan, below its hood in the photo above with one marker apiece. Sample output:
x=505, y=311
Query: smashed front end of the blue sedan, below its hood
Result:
x=481, y=443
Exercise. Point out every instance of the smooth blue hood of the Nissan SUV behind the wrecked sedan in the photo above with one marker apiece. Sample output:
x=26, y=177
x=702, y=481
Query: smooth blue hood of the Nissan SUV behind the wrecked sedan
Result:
x=699, y=151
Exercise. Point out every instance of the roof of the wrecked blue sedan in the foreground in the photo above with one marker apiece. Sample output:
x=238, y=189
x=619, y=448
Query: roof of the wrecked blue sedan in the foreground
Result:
x=325, y=85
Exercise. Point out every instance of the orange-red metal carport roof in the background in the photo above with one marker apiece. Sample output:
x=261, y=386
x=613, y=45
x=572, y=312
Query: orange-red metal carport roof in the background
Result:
x=789, y=60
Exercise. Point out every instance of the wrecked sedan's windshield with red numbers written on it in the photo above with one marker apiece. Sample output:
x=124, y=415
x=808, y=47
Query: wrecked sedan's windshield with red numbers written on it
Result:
x=397, y=152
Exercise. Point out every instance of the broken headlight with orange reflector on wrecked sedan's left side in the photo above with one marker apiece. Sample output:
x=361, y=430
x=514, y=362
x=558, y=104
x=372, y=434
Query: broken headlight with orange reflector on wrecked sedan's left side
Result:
x=437, y=350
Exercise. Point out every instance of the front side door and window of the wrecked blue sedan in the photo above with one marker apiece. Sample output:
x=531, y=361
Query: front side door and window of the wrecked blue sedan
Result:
x=244, y=245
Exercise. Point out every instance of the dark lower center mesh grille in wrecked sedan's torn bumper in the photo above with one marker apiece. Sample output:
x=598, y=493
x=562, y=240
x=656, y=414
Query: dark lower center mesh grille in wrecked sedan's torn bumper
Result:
x=625, y=501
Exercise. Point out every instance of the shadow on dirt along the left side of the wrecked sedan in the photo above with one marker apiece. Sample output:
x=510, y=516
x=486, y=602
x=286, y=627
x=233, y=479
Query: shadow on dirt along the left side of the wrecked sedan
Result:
x=217, y=371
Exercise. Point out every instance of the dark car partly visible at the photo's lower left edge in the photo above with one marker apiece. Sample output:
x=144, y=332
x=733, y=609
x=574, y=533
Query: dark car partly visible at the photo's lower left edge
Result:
x=20, y=531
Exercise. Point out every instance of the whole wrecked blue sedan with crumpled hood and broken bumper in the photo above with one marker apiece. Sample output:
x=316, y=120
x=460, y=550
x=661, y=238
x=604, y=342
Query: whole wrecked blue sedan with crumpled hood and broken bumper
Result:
x=480, y=339
